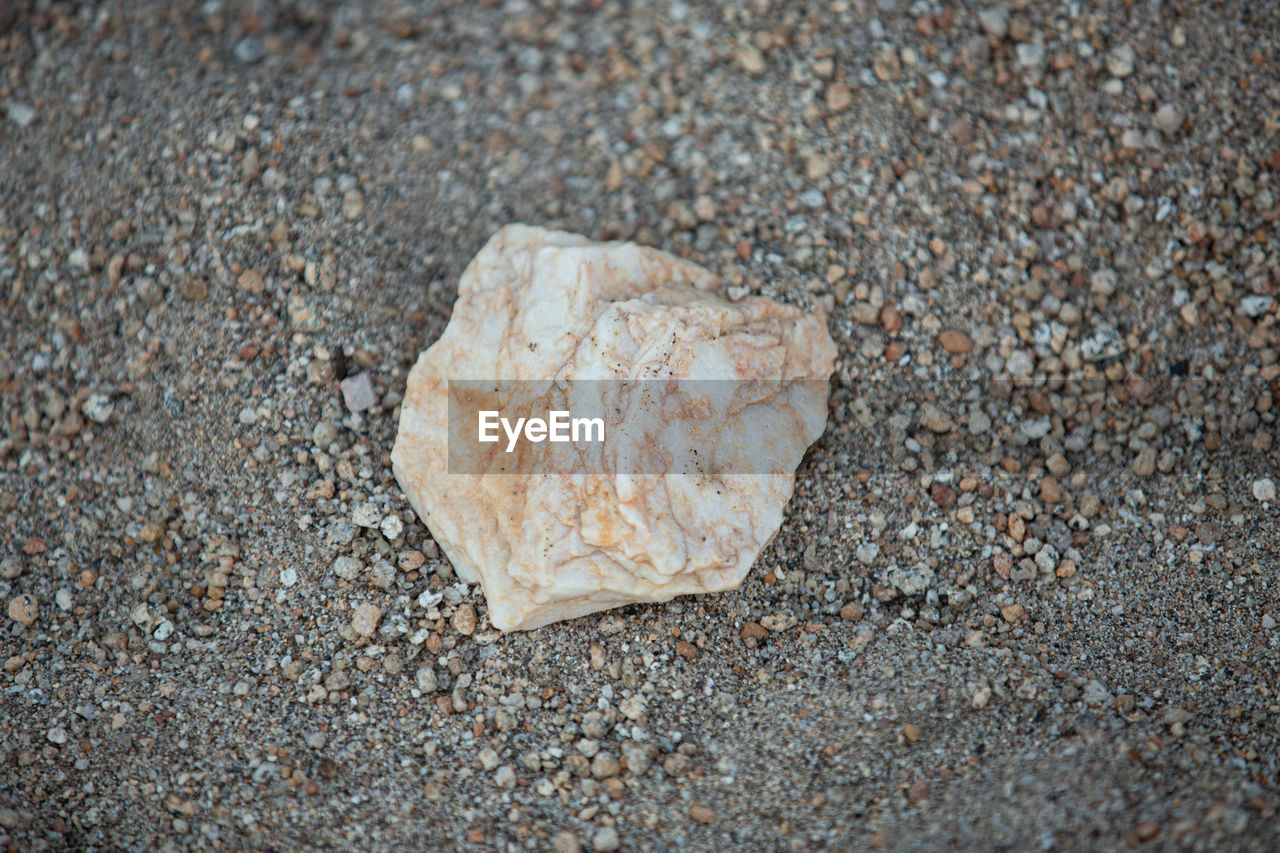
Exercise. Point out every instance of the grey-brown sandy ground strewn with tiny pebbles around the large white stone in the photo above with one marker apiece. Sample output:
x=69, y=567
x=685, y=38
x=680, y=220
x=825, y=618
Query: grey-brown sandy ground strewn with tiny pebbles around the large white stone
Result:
x=1025, y=597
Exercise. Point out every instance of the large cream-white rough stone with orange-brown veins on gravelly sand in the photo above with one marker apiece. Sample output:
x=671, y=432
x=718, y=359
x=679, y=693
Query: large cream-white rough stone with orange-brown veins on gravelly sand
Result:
x=541, y=305
